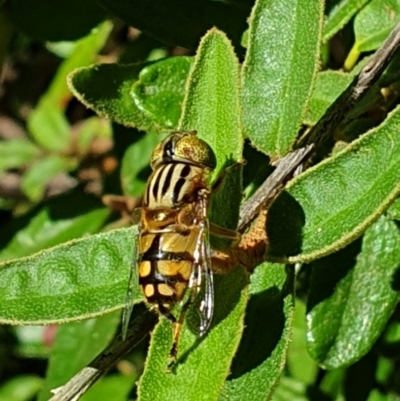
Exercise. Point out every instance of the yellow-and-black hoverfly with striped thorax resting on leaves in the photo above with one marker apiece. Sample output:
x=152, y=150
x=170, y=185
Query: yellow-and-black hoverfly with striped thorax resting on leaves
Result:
x=173, y=252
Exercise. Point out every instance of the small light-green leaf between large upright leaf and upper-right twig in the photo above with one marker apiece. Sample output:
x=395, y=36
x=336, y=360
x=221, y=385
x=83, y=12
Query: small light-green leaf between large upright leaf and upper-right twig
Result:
x=329, y=85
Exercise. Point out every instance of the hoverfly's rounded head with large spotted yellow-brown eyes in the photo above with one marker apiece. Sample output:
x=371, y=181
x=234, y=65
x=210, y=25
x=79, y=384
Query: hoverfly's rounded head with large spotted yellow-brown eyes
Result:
x=184, y=147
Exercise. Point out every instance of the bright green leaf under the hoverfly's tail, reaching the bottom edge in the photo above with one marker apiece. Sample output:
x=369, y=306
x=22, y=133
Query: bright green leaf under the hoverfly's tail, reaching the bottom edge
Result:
x=203, y=364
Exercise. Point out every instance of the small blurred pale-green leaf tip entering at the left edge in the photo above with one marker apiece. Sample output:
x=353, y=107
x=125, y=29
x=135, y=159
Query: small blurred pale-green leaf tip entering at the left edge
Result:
x=16, y=153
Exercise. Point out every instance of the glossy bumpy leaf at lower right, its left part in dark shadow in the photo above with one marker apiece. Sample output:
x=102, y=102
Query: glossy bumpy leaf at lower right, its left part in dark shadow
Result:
x=352, y=297
